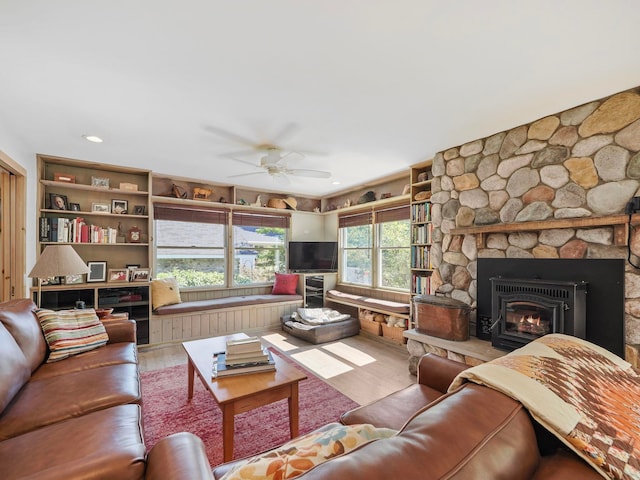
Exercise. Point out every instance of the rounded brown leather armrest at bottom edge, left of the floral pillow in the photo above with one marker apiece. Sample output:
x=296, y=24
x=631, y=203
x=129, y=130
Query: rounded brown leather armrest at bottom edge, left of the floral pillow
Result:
x=180, y=456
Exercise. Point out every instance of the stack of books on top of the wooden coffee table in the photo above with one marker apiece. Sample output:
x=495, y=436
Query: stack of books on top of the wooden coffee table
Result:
x=243, y=356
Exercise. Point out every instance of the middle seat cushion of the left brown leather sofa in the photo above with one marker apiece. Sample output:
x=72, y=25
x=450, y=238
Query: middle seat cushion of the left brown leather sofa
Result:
x=55, y=399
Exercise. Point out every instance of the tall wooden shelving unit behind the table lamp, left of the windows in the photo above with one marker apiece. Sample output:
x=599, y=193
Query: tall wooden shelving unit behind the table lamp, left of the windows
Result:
x=96, y=232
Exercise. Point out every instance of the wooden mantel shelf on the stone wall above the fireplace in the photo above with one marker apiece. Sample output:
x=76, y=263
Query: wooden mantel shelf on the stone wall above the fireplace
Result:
x=620, y=225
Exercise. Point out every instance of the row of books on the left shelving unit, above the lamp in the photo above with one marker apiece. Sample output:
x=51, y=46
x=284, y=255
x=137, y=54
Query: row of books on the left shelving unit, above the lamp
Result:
x=76, y=230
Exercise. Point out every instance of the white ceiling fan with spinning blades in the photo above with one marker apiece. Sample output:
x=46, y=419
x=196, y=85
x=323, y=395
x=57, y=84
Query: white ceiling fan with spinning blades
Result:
x=274, y=160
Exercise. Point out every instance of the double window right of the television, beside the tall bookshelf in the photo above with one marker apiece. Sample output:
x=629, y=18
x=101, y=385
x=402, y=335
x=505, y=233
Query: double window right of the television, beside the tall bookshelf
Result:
x=375, y=248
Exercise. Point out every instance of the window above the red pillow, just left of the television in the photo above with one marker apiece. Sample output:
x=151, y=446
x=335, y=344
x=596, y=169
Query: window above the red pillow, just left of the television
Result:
x=259, y=246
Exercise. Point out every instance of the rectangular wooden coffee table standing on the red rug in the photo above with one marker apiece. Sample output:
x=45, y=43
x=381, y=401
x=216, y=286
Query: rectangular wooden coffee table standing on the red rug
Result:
x=241, y=393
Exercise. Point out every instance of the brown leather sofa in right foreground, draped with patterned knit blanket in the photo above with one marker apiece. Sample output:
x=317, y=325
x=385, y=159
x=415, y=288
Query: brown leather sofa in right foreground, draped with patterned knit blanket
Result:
x=471, y=433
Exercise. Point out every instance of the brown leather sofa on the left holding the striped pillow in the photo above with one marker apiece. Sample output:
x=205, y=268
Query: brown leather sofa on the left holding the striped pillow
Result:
x=79, y=417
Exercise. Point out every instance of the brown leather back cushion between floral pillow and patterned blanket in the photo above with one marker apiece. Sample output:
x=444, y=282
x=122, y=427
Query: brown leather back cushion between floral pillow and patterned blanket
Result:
x=474, y=433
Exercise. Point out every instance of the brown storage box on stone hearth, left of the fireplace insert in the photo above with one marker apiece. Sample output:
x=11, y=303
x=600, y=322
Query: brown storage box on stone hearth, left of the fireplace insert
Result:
x=442, y=317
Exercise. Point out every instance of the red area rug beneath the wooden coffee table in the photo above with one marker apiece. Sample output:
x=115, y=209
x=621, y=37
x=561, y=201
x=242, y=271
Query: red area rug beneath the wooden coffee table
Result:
x=166, y=411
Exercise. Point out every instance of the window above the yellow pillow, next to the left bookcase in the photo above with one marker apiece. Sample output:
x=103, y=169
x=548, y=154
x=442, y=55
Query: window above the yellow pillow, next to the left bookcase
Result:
x=191, y=245
